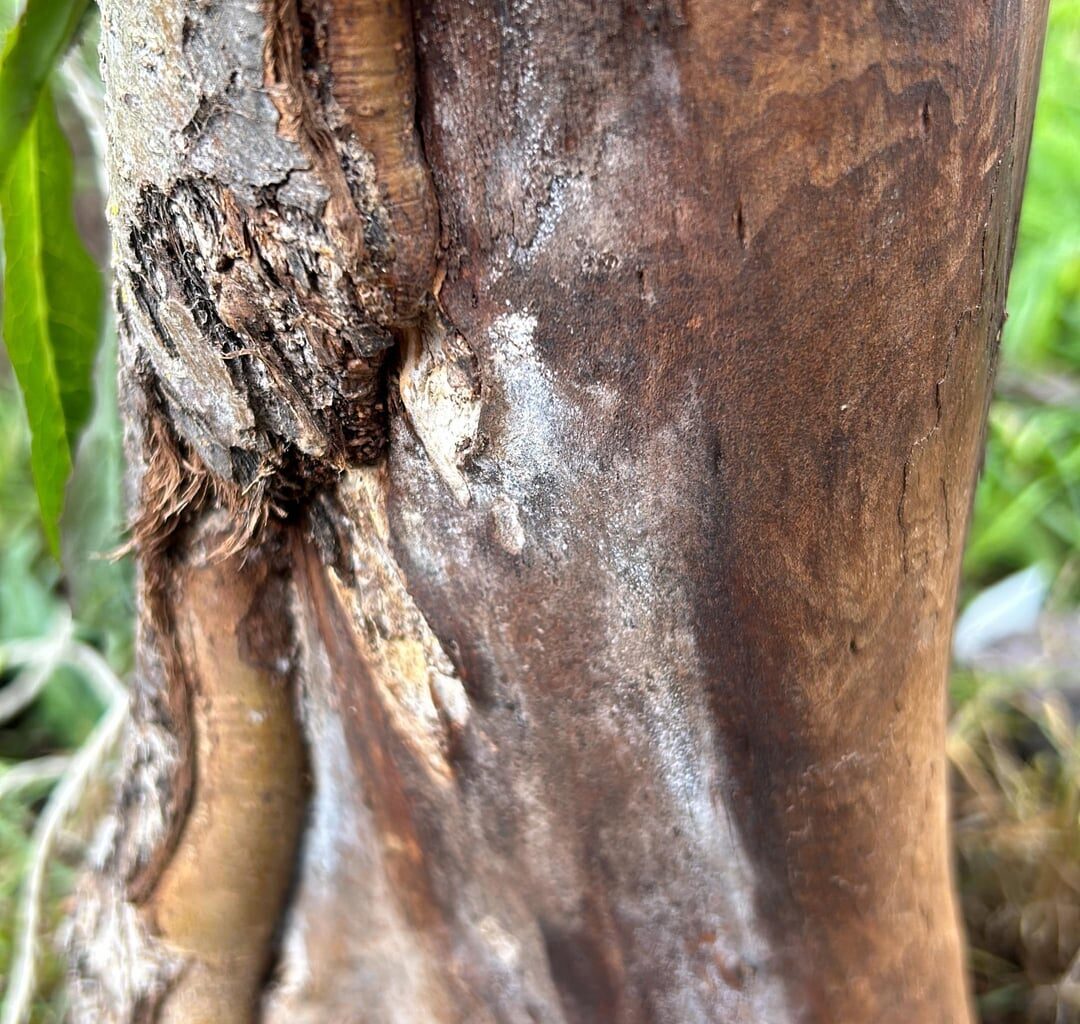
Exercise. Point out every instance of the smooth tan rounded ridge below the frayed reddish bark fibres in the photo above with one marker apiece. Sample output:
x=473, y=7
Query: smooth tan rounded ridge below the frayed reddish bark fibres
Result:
x=221, y=897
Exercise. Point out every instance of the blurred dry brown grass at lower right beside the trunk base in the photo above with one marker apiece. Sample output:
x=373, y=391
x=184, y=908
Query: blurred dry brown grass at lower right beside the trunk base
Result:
x=1017, y=809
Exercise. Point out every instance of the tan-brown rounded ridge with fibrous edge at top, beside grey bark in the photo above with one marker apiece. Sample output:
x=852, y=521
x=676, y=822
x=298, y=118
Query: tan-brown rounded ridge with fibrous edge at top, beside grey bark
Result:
x=345, y=71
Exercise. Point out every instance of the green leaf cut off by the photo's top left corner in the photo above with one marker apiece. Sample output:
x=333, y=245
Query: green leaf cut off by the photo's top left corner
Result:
x=43, y=36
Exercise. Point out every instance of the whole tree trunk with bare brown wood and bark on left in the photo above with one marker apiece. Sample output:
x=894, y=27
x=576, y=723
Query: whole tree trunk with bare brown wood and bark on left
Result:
x=553, y=429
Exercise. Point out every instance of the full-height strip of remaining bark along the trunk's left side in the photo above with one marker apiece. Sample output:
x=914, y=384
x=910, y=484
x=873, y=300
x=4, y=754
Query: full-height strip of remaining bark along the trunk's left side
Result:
x=276, y=237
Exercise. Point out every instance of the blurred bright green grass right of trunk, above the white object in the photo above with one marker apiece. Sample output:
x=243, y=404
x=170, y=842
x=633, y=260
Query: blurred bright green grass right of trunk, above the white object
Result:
x=1028, y=507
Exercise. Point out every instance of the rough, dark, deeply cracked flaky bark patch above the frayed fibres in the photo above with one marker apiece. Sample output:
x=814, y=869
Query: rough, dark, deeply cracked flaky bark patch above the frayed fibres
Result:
x=295, y=357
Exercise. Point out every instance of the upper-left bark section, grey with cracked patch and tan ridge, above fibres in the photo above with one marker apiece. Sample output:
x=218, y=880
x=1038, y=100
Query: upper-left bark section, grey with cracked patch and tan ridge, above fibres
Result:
x=265, y=288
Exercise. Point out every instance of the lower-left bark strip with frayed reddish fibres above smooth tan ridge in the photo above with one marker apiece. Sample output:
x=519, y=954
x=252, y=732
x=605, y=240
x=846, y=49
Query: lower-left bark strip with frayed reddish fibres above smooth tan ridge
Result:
x=192, y=875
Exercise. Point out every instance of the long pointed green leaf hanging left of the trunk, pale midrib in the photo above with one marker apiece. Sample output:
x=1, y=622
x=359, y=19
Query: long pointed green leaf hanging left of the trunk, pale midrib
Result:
x=52, y=306
